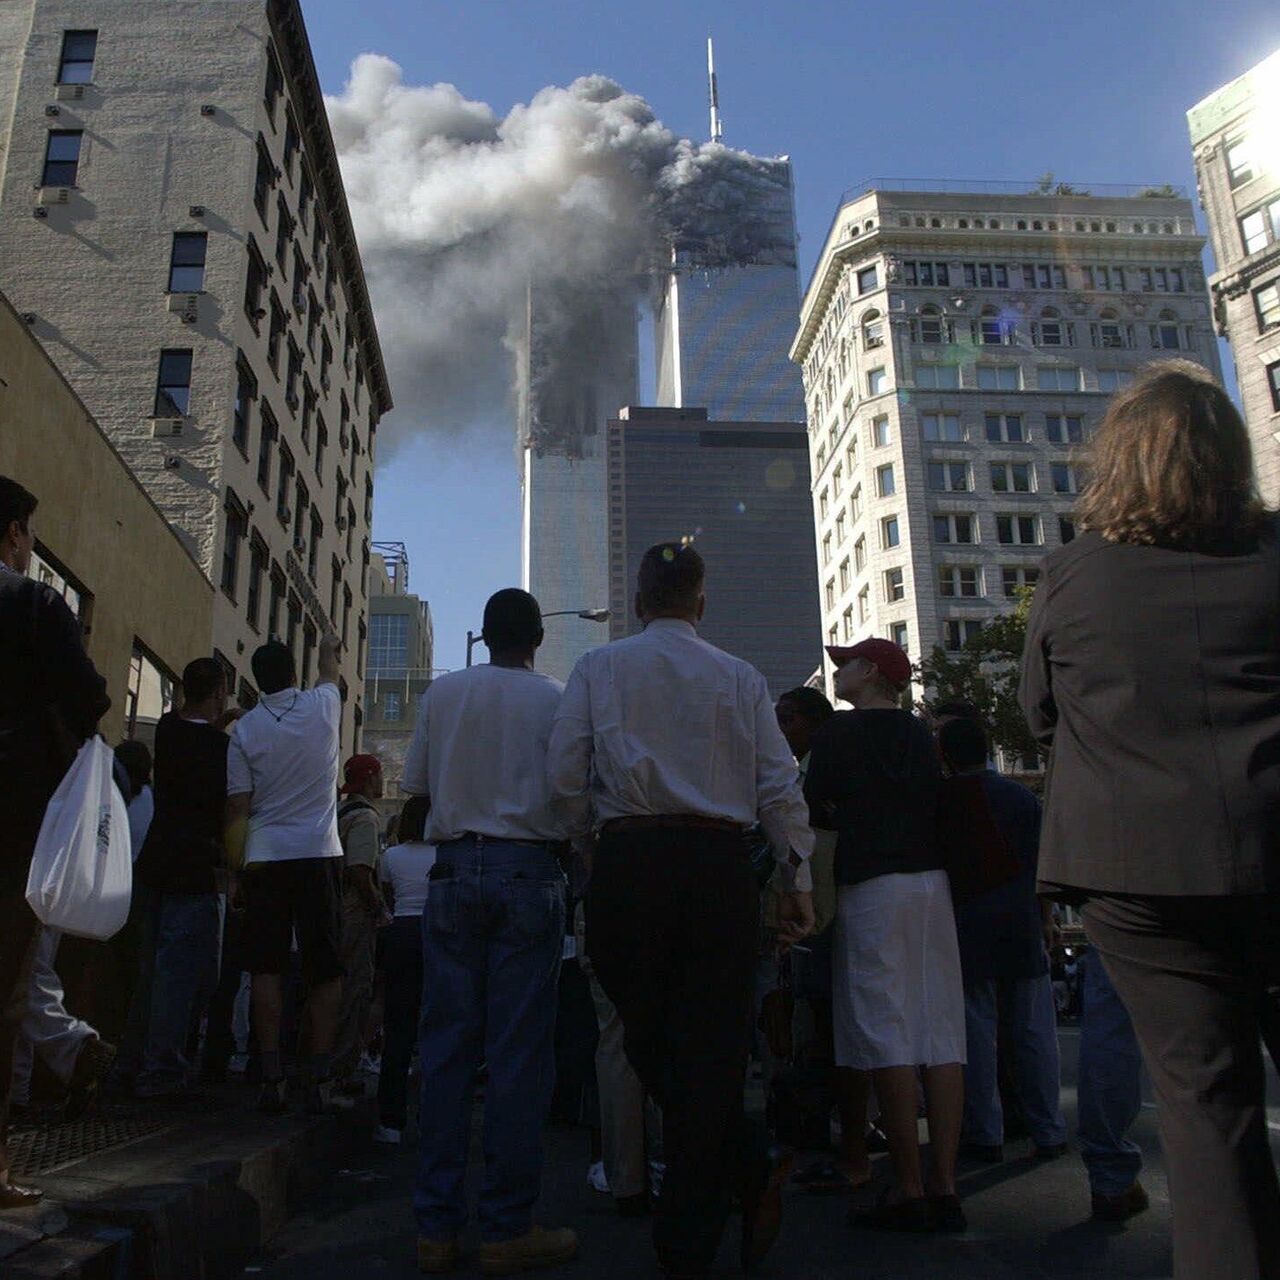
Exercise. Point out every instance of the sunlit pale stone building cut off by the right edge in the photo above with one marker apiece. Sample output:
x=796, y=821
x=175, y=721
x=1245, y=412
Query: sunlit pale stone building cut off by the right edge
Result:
x=1236, y=138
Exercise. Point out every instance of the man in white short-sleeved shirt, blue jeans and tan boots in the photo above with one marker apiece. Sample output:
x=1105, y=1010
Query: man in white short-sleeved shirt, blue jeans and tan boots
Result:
x=493, y=934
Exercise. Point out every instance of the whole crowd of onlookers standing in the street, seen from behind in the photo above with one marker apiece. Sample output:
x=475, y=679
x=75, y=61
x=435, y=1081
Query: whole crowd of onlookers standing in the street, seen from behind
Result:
x=858, y=898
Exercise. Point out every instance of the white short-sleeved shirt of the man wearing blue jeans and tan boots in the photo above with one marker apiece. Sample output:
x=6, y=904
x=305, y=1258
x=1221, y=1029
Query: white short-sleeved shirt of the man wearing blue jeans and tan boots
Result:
x=479, y=752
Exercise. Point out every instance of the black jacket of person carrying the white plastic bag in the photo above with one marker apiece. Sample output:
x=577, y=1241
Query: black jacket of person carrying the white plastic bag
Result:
x=52, y=700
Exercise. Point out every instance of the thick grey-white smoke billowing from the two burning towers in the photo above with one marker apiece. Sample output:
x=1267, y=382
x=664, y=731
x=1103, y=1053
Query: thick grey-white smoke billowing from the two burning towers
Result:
x=460, y=214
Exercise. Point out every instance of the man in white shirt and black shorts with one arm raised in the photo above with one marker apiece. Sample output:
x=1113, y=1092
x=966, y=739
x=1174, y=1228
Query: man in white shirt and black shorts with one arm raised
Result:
x=282, y=822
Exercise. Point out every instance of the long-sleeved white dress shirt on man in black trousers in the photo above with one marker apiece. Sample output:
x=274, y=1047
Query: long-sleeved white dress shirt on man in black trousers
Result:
x=666, y=724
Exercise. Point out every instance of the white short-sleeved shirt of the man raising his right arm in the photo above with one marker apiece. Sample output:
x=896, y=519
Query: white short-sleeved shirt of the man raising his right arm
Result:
x=286, y=753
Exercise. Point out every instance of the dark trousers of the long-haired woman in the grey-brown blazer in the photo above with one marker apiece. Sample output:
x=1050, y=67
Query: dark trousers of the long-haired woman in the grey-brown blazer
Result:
x=1194, y=973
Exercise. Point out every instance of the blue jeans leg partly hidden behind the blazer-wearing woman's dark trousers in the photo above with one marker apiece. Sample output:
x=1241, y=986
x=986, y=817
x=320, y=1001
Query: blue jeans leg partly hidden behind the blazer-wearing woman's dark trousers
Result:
x=1110, y=1089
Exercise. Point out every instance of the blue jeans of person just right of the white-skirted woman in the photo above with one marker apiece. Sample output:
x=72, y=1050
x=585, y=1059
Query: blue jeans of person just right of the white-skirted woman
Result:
x=1036, y=1060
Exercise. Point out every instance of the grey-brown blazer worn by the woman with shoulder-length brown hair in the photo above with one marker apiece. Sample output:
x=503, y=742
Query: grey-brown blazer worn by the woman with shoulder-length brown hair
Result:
x=1155, y=676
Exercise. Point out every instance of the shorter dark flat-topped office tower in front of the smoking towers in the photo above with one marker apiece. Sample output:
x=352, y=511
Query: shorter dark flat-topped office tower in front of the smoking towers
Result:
x=740, y=493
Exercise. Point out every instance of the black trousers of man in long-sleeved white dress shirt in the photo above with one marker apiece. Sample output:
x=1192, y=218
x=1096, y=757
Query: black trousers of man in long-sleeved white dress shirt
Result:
x=671, y=929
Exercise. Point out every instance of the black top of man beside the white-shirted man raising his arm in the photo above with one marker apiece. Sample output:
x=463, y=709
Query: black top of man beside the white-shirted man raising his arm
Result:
x=185, y=843
